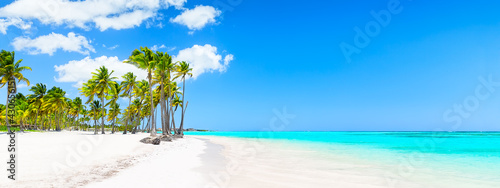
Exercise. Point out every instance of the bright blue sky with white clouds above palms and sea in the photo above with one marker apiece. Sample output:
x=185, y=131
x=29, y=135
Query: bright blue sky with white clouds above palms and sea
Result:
x=282, y=66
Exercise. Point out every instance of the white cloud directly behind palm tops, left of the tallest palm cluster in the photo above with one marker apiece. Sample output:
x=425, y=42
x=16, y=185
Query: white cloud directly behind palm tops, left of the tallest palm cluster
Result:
x=79, y=71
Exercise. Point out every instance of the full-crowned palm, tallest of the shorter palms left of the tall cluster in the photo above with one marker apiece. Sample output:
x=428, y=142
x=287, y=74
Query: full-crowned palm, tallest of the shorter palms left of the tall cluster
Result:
x=103, y=84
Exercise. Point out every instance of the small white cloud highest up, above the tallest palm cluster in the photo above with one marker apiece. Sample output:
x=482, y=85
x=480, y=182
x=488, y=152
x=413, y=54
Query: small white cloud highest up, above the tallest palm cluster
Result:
x=197, y=18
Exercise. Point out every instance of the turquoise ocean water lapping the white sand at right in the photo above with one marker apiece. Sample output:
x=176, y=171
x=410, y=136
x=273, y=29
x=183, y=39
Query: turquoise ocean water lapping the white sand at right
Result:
x=469, y=155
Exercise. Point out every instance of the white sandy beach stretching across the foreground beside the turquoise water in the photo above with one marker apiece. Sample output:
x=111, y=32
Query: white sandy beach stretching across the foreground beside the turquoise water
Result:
x=80, y=159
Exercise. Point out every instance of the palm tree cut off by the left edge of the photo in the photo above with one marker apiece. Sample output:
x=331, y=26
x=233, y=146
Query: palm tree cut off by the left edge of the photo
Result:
x=11, y=71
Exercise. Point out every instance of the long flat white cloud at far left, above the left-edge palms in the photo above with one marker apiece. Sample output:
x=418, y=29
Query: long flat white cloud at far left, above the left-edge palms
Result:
x=48, y=44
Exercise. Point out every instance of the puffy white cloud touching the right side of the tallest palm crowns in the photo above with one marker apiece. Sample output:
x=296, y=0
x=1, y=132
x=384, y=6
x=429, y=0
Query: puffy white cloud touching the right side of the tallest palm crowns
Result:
x=204, y=59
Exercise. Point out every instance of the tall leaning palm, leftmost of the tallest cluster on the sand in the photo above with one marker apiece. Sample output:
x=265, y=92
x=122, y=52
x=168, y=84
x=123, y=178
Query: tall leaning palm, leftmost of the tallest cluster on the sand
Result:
x=144, y=59
